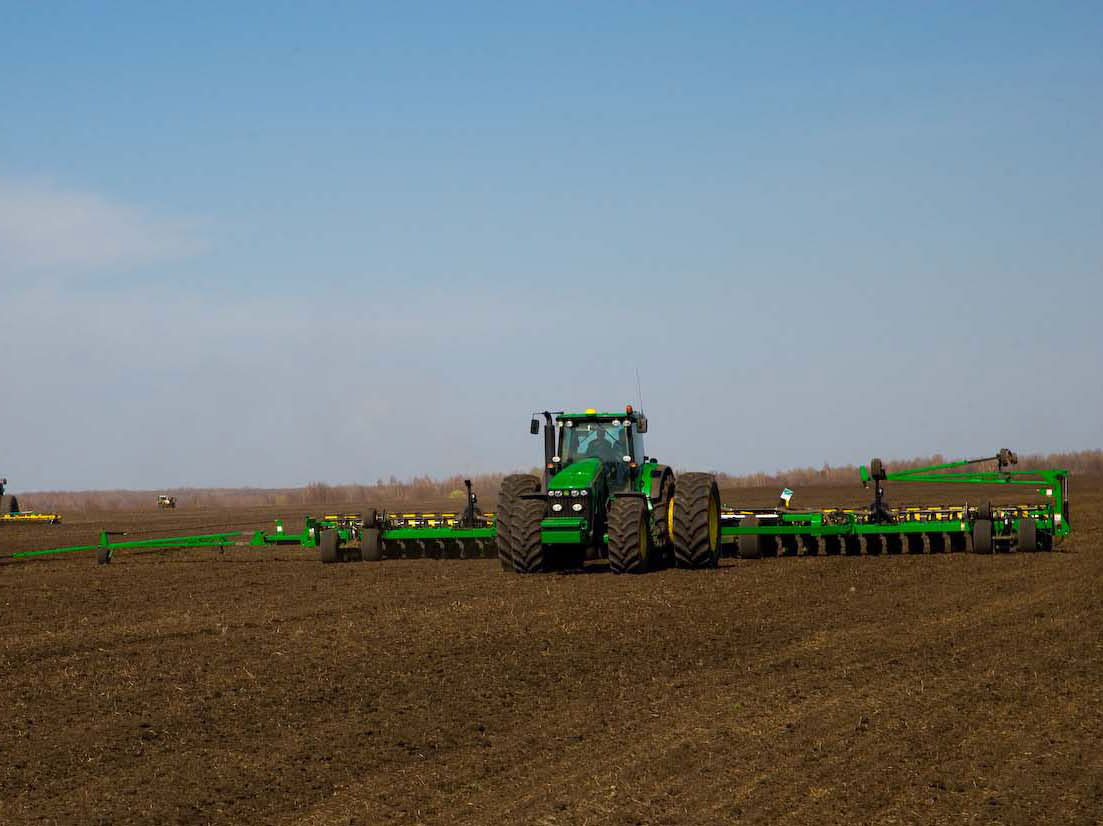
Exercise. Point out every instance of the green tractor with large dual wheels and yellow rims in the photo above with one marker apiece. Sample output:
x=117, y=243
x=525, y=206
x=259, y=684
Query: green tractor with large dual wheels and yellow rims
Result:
x=602, y=497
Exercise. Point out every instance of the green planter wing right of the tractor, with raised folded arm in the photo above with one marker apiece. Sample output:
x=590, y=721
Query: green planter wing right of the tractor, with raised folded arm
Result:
x=980, y=528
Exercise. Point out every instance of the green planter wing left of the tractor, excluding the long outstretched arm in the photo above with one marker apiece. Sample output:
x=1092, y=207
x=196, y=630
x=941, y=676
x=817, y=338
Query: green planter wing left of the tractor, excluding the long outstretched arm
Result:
x=376, y=535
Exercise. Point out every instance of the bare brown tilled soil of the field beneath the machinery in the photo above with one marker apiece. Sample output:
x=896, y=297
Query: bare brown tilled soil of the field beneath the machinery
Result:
x=263, y=688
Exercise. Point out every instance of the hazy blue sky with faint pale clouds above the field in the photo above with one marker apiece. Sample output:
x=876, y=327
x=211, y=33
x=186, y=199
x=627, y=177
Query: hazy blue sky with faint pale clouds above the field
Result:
x=272, y=243
